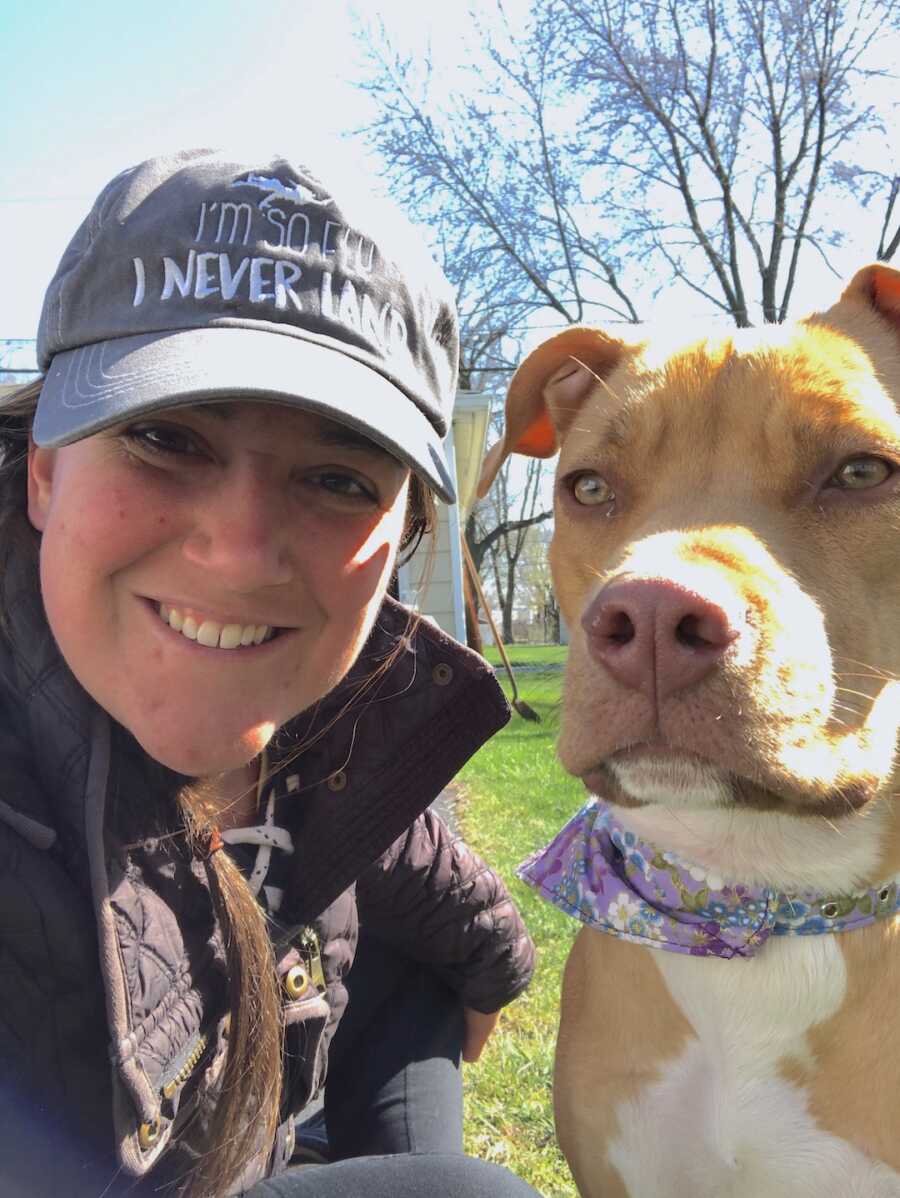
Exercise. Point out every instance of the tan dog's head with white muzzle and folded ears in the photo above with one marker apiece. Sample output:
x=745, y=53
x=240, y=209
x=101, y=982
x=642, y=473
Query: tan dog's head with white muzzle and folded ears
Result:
x=727, y=555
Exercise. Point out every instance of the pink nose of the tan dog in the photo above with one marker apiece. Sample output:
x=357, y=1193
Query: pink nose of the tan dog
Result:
x=656, y=637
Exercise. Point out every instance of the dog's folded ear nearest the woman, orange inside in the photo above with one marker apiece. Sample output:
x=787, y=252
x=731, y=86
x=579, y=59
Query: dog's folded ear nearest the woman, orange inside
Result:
x=547, y=391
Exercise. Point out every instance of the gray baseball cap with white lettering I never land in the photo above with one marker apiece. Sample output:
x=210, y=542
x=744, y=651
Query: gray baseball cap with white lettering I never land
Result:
x=173, y=288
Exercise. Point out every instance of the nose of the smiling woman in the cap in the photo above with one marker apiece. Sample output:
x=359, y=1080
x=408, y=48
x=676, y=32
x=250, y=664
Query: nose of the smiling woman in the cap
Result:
x=241, y=533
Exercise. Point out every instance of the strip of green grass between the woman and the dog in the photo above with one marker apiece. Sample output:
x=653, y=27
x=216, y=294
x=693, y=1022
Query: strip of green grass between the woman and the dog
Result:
x=516, y=798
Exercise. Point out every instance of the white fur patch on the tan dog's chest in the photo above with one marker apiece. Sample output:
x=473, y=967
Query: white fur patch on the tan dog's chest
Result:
x=724, y=1121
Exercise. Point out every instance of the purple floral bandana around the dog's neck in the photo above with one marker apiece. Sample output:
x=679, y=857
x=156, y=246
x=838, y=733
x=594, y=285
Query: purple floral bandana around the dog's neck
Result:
x=605, y=876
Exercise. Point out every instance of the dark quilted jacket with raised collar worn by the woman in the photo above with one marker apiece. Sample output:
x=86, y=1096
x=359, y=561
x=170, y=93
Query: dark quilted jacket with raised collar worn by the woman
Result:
x=112, y=967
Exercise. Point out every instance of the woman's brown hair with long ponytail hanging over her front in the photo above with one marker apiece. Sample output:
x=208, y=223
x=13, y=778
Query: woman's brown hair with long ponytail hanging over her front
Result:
x=246, y=1116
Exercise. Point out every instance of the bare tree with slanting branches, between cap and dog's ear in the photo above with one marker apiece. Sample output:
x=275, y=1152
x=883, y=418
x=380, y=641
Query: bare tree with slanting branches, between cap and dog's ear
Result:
x=492, y=162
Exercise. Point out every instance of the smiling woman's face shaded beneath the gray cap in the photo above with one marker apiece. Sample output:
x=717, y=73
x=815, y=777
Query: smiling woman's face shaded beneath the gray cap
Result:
x=234, y=523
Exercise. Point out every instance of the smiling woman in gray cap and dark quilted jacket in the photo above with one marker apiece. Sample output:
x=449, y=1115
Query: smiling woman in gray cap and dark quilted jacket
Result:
x=247, y=386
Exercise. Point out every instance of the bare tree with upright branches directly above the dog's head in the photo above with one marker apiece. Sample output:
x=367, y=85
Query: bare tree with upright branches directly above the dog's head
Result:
x=741, y=111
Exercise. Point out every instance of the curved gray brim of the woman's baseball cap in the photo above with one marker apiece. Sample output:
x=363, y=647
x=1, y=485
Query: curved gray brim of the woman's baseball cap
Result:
x=96, y=386
